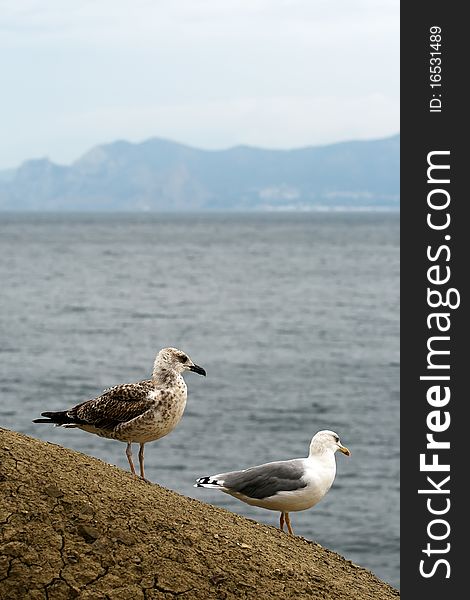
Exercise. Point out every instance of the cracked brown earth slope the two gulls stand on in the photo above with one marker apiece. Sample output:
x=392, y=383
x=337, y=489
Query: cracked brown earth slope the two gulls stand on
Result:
x=72, y=526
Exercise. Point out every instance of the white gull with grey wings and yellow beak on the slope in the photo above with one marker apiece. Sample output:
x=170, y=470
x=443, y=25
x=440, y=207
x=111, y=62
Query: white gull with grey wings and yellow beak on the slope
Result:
x=287, y=485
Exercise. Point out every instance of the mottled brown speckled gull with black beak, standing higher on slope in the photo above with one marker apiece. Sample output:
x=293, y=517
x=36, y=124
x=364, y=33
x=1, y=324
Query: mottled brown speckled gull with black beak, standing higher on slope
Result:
x=135, y=412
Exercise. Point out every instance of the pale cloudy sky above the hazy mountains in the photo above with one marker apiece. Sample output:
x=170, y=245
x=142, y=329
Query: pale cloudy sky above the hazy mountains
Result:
x=207, y=73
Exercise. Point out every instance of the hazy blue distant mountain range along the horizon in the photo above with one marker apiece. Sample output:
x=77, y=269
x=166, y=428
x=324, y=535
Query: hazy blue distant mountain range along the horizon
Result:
x=160, y=175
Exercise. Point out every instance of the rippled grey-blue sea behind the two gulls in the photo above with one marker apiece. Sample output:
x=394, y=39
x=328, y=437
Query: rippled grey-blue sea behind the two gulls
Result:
x=294, y=317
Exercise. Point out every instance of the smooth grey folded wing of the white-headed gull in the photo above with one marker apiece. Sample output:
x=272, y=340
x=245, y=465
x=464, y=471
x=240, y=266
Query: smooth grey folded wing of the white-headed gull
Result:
x=266, y=480
